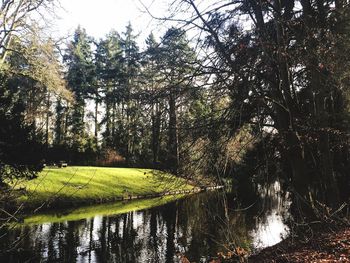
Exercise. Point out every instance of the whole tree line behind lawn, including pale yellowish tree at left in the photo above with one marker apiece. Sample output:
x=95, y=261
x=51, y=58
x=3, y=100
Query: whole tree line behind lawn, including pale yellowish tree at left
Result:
x=99, y=102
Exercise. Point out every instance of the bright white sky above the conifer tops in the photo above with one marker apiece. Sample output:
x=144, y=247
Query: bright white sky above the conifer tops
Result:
x=100, y=17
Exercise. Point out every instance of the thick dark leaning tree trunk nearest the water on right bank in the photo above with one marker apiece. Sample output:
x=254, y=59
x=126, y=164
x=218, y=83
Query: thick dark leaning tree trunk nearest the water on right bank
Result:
x=293, y=147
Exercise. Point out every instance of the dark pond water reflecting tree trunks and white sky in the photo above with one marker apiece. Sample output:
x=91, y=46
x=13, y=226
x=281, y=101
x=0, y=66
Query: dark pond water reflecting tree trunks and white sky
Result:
x=197, y=226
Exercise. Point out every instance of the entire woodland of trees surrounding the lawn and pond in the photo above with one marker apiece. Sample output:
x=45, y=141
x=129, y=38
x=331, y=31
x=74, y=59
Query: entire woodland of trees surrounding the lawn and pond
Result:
x=242, y=91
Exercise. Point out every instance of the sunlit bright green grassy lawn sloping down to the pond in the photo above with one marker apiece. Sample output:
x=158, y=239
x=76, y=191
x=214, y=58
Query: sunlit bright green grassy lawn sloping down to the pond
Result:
x=82, y=185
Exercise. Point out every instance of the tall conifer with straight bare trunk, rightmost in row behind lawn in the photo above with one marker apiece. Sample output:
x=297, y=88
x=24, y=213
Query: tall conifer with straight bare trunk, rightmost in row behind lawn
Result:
x=177, y=68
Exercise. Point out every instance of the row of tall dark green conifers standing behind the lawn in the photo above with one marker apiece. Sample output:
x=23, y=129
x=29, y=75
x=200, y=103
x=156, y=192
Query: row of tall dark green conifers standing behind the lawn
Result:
x=134, y=101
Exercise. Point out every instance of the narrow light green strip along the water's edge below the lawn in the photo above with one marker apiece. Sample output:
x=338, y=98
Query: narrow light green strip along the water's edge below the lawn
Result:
x=104, y=210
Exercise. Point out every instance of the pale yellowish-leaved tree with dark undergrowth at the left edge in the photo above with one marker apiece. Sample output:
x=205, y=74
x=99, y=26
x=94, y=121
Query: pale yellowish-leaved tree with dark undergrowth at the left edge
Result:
x=30, y=77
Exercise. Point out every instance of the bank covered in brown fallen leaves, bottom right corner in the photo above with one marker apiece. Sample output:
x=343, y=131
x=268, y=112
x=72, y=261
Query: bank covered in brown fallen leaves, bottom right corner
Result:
x=324, y=244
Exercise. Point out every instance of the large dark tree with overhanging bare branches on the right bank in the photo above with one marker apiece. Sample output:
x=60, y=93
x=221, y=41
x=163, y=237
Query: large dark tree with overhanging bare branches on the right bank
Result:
x=278, y=69
